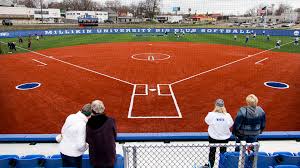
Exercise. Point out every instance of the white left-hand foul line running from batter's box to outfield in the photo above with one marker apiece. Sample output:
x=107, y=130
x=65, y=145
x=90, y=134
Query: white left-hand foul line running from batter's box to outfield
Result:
x=77, y=66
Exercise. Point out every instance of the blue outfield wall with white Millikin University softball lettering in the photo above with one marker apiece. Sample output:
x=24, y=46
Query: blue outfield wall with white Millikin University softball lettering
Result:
x=78, y=31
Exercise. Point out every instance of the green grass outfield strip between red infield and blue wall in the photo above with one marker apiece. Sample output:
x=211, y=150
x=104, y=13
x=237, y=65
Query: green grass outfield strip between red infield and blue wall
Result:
x=70, y=40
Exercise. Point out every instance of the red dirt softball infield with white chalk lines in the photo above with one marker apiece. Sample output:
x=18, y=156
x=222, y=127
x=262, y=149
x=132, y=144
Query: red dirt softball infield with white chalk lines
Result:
x=177, y=94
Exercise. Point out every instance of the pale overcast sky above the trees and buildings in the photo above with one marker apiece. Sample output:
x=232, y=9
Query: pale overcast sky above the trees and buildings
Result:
x=213, y=6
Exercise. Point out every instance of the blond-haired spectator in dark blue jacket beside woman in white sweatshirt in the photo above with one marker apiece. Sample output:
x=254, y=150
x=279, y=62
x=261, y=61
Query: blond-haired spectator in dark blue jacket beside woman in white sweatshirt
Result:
x=249, y=122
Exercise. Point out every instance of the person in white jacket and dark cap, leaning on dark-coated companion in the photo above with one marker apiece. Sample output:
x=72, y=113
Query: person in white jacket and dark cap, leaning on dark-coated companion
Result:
x=72, y=142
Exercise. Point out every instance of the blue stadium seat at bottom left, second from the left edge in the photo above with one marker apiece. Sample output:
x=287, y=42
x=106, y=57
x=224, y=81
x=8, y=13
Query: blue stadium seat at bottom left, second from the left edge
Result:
x=30, y=161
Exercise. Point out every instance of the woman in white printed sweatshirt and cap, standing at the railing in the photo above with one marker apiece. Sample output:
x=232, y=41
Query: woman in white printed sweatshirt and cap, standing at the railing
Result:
x=219, y=123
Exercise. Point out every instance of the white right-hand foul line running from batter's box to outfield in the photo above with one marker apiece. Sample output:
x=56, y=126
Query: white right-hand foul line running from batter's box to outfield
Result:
x=230, y=63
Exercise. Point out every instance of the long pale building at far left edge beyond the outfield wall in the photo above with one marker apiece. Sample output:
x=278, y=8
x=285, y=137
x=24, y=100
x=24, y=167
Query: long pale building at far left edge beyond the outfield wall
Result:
x=30, y=15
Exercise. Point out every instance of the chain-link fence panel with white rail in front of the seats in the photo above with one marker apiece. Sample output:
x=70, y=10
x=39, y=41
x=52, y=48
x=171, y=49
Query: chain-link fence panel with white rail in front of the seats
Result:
x=191, y=156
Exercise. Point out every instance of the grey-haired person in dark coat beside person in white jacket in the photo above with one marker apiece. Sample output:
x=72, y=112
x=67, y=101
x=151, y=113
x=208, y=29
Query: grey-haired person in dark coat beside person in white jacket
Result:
x=101, y=135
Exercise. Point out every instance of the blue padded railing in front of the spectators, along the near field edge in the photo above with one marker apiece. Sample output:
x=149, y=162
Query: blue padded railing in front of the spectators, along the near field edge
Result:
x=123, y=137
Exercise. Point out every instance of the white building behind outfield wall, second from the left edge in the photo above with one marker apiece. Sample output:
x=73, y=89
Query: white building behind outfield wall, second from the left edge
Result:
x=73, y=15
